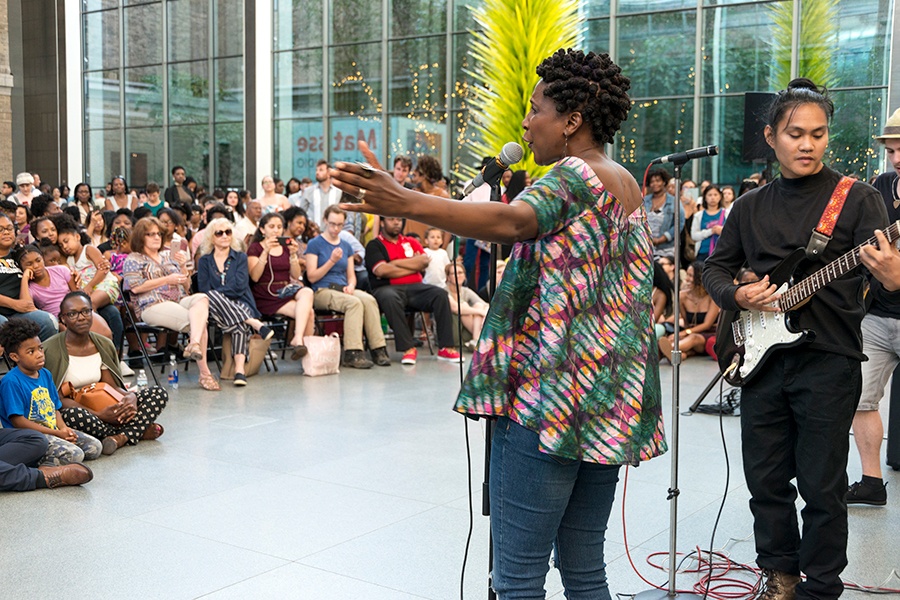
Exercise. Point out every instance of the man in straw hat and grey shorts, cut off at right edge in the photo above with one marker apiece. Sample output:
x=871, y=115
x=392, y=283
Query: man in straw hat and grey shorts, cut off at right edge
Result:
x=881, y=334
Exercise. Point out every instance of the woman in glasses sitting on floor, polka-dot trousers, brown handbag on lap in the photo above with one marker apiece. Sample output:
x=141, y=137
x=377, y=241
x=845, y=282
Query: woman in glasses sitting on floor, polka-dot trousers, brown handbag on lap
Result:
x=78, y=359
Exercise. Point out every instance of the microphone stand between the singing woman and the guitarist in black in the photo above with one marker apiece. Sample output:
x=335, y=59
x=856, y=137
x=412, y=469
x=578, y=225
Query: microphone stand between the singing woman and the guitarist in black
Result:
x=677, y=163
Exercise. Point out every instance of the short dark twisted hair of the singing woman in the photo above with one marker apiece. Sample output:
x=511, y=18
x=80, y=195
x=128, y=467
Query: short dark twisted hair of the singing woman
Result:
x=591, y=84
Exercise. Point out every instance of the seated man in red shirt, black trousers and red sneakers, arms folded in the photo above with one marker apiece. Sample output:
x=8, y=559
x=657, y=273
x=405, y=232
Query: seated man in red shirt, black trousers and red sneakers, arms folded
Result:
x=395, y=263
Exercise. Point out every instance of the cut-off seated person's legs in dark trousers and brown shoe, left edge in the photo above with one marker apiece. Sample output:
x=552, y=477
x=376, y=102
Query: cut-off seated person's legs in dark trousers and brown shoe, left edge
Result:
x=21, y=451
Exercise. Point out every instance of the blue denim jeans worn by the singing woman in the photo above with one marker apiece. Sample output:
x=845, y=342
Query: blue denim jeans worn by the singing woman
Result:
x=542, y=504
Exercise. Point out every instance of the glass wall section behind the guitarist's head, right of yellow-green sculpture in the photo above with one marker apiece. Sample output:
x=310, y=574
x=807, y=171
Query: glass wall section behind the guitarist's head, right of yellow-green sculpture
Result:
x=684, y=98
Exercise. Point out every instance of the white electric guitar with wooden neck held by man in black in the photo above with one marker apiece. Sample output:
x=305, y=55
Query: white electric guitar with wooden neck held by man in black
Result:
x=746, y=338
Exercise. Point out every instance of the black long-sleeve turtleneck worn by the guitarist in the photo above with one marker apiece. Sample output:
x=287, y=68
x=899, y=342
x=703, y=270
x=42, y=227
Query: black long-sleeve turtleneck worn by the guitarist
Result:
x=769, y=223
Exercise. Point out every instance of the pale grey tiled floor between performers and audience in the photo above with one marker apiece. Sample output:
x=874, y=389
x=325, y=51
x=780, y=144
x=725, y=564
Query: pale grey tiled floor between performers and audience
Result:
x=353, y=487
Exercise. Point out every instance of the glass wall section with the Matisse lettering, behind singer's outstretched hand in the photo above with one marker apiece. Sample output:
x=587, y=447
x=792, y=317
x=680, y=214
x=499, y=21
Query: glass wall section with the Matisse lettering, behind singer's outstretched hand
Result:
x=386, y=81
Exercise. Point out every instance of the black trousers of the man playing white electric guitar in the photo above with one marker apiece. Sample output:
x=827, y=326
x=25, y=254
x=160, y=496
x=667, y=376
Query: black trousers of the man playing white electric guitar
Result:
x=795, y=422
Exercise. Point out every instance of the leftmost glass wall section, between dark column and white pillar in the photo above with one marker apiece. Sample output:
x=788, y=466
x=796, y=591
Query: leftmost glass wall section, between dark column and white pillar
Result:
x=164, y=85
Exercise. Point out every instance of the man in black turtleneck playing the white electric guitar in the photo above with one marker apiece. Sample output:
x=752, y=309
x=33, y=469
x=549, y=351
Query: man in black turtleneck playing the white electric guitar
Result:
x=796, y=412
